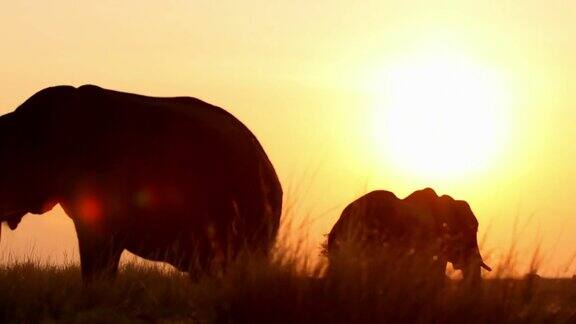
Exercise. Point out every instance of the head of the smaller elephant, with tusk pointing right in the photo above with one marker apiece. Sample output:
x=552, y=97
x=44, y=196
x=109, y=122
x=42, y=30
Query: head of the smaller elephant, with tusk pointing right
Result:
x=456, y=226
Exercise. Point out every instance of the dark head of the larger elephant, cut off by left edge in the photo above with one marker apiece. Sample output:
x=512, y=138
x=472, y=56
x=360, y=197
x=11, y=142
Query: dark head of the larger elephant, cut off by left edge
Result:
x=27, y=159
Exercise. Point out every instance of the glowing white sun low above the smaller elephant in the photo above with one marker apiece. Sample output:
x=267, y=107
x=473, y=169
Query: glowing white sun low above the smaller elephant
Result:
x=440, y=115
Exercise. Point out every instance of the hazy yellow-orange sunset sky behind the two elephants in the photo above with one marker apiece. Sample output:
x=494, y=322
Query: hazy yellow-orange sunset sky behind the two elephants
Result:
x=310, y=79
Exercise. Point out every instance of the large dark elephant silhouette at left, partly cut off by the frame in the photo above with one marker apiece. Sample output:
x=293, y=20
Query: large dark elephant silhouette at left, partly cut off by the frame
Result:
x=168, y=179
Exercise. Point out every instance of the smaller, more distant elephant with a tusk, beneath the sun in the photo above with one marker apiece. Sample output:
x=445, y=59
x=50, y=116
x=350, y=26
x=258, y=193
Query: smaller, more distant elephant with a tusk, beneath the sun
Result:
x=436, y=229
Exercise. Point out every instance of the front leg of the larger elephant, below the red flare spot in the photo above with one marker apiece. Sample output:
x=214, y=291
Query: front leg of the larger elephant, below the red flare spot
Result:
x=99, y=255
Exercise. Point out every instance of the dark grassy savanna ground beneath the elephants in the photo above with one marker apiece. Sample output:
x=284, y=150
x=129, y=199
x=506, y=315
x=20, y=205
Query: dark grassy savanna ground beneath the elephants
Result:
x=288, y=289
